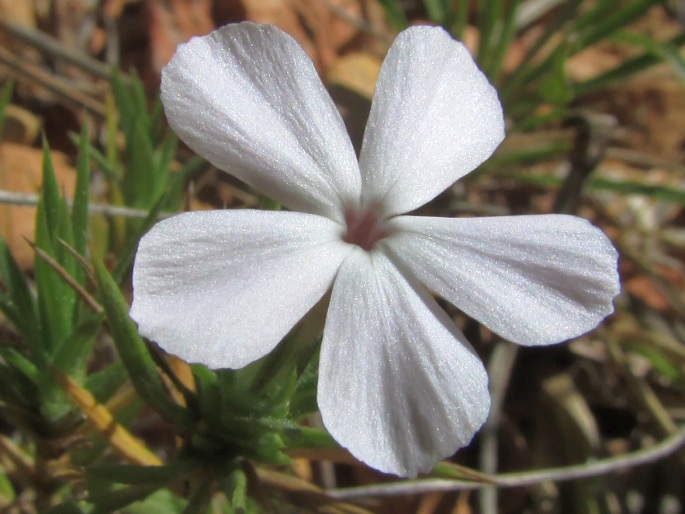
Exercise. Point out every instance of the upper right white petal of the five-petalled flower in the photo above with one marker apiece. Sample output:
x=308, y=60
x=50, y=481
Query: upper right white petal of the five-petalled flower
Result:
x=434, y=118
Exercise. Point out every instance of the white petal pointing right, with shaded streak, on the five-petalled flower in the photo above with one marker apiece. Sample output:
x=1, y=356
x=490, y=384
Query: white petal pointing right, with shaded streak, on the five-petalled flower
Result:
x=534, y=280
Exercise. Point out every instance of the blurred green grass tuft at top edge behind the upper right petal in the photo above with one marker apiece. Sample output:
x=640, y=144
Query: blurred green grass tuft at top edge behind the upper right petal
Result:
x=568, y=28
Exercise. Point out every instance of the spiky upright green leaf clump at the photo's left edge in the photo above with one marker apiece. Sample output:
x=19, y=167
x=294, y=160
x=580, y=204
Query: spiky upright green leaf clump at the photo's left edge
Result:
x=56, y=330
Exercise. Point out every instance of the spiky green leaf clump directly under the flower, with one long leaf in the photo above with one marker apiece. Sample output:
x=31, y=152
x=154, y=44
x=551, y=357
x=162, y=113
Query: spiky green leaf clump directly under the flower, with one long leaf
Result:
x=229, y=416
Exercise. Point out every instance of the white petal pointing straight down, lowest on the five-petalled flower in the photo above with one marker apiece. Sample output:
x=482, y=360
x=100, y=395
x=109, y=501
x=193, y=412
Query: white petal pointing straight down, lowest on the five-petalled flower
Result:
x=399, y=386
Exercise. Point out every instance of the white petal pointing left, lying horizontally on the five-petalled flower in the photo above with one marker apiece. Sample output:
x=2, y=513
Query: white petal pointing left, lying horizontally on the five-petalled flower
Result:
x=224, y=287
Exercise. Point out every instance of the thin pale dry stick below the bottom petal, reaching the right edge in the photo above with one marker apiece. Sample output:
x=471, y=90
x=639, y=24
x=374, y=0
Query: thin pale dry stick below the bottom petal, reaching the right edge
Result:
x=520, y=479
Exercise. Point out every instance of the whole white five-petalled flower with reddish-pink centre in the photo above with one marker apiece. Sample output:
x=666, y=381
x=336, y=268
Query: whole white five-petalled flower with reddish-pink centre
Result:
x=399, y=385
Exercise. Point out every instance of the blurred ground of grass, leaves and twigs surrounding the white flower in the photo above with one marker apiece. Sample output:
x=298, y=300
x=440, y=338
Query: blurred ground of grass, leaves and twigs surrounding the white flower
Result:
x=93, y=419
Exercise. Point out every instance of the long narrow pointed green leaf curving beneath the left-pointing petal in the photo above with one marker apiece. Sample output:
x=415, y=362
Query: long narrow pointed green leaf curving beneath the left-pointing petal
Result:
x=133, y=352
